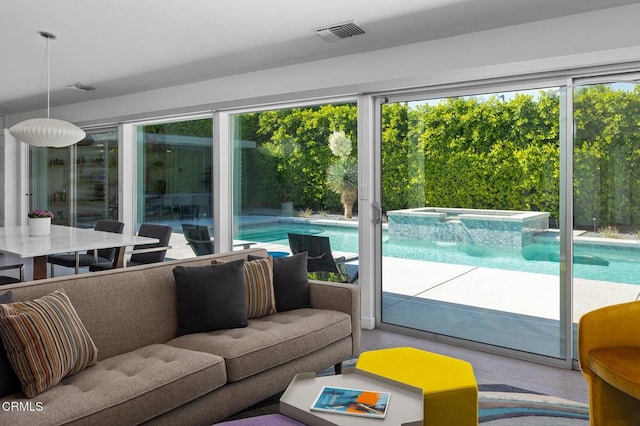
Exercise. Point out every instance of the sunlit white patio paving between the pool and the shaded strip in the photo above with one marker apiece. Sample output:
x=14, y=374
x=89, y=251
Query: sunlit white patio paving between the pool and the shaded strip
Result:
x=524, y=293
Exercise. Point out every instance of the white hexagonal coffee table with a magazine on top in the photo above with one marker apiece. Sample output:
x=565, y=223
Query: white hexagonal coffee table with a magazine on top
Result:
x=405, y=404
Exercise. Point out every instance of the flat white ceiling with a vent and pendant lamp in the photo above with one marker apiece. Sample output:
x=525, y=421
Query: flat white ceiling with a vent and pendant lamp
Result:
x=129, y=46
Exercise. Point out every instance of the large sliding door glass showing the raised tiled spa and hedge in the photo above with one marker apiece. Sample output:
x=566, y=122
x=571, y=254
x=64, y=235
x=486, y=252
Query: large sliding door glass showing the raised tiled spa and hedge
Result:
x=470, y=236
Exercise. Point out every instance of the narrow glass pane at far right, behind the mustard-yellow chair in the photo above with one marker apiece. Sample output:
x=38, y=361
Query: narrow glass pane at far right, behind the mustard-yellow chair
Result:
x=606, y=208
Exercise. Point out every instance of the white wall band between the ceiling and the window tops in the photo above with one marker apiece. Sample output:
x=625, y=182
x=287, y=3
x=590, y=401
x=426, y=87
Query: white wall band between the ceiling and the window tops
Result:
x=590, y=39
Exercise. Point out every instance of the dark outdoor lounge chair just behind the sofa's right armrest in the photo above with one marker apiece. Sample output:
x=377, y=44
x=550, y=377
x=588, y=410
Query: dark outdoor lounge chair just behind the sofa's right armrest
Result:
x=320, y=258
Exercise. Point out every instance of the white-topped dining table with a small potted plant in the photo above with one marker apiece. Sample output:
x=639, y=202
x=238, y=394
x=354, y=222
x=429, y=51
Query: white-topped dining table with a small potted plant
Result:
x=16, y=241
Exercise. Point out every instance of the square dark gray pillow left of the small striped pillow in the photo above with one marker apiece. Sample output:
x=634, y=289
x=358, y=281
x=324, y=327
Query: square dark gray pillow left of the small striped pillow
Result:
x=211, y=297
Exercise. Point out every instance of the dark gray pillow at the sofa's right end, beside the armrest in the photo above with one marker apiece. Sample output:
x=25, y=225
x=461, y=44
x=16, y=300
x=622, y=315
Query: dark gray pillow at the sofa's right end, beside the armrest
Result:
x=290, y=282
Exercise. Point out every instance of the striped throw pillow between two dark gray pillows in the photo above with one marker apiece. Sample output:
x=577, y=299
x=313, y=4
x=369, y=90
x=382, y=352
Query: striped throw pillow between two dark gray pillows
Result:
x=258, y=281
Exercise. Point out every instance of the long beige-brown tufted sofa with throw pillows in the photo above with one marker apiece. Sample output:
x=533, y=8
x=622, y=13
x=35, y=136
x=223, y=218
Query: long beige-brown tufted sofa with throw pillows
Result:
x=146, y=373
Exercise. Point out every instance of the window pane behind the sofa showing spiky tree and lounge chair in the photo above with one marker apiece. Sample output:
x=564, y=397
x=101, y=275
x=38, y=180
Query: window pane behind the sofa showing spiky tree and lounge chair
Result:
x=287, y=179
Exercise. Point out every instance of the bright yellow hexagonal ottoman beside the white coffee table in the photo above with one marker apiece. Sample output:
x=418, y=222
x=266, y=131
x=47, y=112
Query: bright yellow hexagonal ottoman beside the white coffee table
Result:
x=449, y=385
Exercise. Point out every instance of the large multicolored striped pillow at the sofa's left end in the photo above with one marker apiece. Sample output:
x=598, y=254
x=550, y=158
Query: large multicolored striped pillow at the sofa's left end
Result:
x=45, y=341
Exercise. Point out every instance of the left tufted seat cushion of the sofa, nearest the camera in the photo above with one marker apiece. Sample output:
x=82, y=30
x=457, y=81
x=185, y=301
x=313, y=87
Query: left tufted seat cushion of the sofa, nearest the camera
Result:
x=127, y=389
